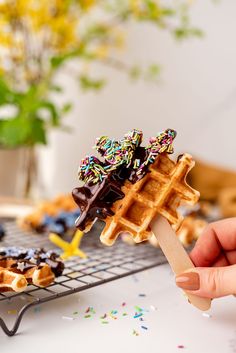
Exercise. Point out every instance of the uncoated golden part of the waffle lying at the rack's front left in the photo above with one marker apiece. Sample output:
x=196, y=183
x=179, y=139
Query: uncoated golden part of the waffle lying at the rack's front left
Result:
x=15, y=275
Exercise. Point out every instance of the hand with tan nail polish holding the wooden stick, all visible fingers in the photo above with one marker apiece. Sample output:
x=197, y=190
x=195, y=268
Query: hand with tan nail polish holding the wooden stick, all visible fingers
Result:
x=214, y=256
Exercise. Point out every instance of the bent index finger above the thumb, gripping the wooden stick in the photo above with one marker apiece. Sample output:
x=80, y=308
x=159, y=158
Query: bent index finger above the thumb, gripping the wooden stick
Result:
x=216, y=238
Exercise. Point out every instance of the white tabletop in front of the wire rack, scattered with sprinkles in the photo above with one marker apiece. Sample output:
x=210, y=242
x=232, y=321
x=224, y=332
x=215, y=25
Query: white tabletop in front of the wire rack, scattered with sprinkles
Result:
x=174, y=322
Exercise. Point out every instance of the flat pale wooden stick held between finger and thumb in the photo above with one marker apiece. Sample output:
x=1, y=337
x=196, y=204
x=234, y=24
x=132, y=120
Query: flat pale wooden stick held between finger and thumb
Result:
x=176, y=256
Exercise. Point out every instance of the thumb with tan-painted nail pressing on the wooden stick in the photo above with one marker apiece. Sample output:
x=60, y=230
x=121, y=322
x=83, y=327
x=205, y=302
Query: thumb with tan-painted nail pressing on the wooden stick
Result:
x=209, y=282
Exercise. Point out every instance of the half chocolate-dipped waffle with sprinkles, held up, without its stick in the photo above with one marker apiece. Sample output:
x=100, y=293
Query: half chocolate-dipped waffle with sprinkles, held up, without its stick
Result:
x=132, y=185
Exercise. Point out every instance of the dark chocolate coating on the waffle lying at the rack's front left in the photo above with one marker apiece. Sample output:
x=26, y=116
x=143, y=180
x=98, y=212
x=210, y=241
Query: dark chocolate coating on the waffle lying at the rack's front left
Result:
x=31, y=258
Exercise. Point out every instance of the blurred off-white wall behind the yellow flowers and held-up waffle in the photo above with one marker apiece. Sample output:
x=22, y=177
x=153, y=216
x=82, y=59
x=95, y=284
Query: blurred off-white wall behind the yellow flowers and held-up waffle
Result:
x=196, y=96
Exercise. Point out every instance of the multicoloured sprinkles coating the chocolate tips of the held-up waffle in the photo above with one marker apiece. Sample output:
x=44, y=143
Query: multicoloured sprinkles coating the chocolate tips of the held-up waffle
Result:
x=122, y=152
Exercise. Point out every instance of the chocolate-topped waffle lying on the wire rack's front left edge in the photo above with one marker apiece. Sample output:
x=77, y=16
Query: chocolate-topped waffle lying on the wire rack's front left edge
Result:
x=19, y=267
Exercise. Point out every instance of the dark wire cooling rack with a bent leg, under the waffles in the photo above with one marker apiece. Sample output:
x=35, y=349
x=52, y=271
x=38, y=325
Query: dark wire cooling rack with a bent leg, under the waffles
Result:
x=104, y=264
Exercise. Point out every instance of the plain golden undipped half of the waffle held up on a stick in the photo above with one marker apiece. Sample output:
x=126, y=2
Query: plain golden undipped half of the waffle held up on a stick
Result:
x=160, y=191
